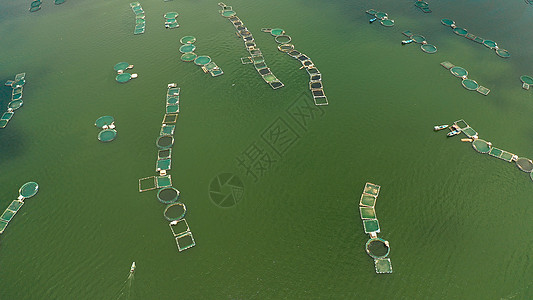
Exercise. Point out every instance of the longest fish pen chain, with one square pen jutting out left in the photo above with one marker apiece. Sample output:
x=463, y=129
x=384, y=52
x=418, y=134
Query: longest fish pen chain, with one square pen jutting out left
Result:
x=174, y=211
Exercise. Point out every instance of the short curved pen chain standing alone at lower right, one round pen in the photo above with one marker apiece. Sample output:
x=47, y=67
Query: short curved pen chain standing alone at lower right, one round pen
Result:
x=375, y=247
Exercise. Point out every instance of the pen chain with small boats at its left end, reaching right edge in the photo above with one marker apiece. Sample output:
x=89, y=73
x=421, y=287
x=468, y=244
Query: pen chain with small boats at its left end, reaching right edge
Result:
x=484, y=147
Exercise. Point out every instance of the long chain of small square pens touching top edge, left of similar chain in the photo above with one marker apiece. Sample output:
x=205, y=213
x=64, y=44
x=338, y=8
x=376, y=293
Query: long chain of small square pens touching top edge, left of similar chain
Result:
x=256, y=56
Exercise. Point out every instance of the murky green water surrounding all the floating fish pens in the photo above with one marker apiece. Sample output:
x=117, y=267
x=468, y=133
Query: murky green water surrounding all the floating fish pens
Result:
x=458, y=222
